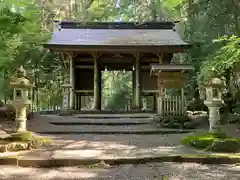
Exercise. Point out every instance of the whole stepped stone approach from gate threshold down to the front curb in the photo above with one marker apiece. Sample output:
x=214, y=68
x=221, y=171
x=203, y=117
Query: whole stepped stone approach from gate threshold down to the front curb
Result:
x=112, y=139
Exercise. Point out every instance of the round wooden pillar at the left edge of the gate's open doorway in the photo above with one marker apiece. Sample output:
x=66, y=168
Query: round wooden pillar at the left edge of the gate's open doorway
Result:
x=97, y=84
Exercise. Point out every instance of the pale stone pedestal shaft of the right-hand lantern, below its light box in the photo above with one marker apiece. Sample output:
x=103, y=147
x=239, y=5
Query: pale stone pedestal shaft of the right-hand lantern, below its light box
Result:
x=214, y=114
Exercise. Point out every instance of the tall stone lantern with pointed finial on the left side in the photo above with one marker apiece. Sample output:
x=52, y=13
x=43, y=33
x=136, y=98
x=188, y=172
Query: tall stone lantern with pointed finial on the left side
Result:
x=21, y=87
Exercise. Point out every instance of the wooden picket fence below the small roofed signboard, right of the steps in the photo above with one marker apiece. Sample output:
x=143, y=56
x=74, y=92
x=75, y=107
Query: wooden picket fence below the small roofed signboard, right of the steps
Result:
x=172, y=105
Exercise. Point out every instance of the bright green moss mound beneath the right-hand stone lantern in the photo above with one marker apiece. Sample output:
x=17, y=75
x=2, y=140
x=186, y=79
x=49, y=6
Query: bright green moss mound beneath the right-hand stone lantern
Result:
x=215, y=142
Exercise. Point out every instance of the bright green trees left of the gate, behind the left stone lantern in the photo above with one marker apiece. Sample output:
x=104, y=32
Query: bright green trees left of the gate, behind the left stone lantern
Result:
x=23, y=32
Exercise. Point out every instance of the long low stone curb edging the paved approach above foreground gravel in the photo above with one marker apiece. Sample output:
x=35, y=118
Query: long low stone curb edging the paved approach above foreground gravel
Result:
x=54, y=162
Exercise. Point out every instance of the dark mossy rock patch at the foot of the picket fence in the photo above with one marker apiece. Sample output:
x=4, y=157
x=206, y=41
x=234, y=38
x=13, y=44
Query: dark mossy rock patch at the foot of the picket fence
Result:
x=174, y=122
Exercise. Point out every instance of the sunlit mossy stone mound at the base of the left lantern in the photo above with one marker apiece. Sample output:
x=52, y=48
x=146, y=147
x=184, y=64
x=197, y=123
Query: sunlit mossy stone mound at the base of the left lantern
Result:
x=23, y=141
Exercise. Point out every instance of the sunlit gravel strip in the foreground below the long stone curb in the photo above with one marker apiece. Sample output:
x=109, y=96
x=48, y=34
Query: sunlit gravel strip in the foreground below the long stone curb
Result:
x=159, y=171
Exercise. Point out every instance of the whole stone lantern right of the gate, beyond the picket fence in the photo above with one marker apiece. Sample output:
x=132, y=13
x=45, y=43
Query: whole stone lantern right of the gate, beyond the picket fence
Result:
x=214, y=102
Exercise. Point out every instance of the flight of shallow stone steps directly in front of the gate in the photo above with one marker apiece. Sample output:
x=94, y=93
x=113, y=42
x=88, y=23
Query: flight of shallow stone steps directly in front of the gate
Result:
x=102, y=124
